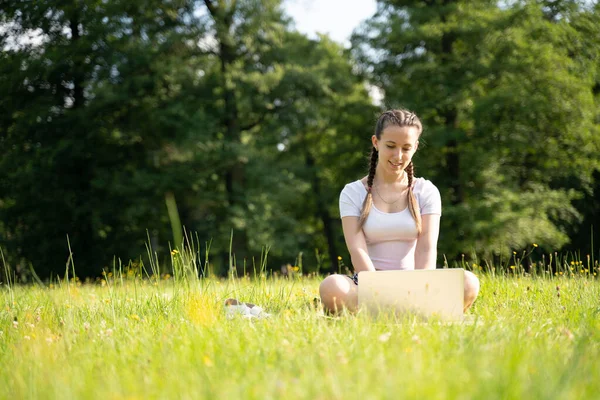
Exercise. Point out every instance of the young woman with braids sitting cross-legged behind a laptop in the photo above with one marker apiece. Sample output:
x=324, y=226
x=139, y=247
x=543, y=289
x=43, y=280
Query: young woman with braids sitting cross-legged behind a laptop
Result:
x=390, y=219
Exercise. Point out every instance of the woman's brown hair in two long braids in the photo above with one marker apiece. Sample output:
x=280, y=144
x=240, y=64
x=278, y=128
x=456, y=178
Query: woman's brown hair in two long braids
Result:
x=397, y=118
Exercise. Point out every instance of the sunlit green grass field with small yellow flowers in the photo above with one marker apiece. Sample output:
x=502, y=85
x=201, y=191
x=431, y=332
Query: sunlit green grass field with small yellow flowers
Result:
x=536, y=338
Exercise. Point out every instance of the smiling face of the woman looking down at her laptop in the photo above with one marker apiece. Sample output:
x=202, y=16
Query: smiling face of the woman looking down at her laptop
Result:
x=396, y=147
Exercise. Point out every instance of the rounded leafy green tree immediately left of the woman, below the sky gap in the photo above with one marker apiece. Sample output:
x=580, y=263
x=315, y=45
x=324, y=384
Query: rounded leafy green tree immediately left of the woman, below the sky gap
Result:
x=318, y=142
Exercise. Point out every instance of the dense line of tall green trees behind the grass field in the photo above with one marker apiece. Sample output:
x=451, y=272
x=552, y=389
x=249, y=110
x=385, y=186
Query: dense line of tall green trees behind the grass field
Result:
x=121, y=121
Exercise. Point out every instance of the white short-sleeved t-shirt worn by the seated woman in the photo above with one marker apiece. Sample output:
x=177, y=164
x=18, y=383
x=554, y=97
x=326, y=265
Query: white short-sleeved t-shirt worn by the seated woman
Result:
x=391, y=237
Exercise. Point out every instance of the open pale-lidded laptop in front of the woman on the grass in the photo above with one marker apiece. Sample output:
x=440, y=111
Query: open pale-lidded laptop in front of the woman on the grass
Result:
x=435, y=293
